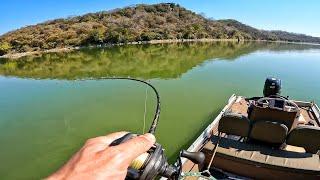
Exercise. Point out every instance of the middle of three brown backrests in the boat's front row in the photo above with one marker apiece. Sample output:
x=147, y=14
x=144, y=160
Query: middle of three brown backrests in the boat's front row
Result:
x=269, y=132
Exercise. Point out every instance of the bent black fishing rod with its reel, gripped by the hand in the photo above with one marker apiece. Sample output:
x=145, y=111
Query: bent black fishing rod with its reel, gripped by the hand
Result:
x=154, y=163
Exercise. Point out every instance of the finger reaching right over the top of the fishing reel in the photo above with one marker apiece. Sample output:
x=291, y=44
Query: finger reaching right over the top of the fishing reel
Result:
x=136, y=146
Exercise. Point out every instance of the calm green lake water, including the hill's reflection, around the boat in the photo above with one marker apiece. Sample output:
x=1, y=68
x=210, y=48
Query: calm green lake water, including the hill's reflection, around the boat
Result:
x=47, y=110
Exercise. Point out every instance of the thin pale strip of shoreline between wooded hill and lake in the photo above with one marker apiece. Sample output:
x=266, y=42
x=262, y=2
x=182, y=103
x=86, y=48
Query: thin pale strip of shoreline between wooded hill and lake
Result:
x=69, y=49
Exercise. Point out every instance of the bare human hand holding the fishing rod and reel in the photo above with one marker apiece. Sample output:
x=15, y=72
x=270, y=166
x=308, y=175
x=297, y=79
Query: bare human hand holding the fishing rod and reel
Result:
x=97, y=160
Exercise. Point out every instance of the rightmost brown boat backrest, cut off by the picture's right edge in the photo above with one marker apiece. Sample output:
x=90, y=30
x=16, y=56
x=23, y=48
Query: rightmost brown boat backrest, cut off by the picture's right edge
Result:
x=307, y=137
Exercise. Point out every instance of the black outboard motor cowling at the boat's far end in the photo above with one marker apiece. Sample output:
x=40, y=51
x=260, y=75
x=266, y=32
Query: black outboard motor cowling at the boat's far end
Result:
x=272, y=87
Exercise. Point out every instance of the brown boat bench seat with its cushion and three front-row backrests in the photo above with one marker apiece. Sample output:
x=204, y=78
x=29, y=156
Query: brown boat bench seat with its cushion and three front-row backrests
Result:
x=252, y=159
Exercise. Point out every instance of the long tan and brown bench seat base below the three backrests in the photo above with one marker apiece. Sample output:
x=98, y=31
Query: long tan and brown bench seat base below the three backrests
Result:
x=252, y=160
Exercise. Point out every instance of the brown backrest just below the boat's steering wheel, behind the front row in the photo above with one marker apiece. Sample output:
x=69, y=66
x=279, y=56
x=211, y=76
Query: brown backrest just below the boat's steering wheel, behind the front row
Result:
x=274, y=115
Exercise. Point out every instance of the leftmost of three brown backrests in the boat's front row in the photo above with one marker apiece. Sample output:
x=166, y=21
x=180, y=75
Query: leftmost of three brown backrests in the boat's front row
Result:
x=234, y=124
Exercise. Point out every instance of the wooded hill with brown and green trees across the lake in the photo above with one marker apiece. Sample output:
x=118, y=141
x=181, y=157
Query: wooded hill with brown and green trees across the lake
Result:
x=131, y=24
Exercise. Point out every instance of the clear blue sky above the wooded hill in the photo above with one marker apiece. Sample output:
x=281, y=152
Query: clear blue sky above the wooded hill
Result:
x=300, y=16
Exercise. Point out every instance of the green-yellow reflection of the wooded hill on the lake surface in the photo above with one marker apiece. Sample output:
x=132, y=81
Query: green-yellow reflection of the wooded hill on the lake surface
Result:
x=140, y=61
